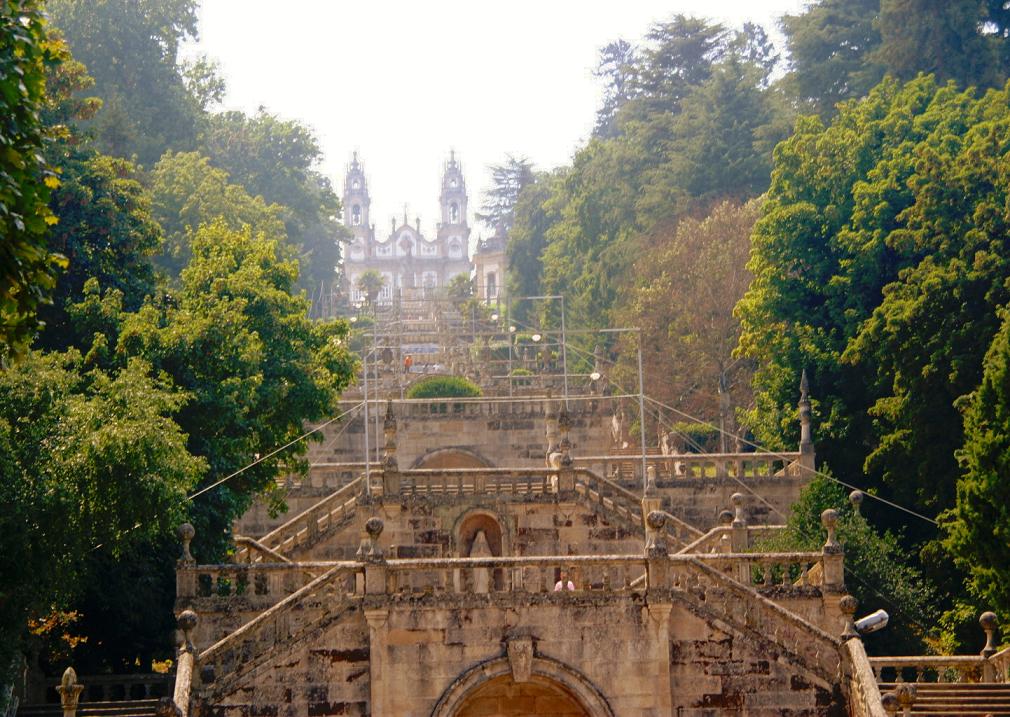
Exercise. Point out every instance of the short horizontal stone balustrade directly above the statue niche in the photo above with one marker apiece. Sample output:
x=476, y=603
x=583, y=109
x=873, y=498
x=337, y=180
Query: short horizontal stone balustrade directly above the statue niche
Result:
x=458, y=482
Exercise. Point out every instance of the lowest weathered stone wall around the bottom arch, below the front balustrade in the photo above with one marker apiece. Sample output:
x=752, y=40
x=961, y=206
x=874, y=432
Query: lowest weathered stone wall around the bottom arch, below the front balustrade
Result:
x=611, y=654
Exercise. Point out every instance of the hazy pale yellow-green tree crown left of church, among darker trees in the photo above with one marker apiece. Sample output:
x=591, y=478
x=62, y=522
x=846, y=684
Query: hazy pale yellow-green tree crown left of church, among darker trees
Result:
x=188, y=193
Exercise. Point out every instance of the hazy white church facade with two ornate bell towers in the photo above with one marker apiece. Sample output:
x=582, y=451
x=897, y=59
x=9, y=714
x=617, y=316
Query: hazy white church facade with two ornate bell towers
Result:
x=411, y=264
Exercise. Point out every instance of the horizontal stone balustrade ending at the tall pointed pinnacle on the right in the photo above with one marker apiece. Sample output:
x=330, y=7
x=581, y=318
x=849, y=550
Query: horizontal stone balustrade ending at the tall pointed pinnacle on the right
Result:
x=694, y=466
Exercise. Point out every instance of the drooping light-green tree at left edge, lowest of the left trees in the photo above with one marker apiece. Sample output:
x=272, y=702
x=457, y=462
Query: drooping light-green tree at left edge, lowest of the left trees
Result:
x=91, y=464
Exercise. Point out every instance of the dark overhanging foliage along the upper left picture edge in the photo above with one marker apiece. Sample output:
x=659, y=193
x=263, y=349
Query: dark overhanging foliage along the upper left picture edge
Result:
x=28, y=267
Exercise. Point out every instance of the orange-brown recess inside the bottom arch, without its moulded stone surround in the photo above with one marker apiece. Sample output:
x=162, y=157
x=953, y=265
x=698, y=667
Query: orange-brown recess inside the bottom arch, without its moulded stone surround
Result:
x=503, y=697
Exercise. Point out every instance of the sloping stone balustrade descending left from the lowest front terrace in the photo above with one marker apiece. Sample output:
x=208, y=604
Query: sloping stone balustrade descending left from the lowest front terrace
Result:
x=277, y=626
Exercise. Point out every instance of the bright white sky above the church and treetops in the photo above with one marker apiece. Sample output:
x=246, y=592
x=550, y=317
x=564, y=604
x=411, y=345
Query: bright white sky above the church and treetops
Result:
x=405, y=81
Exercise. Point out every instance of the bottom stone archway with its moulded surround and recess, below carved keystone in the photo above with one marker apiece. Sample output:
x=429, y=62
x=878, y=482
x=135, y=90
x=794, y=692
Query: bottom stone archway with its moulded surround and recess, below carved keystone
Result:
x=490, y=689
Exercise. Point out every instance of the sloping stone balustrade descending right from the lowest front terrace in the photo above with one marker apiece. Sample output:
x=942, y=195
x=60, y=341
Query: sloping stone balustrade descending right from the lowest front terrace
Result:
x=710, y=590
